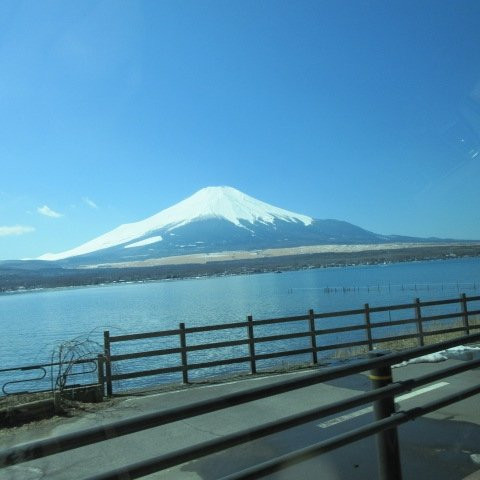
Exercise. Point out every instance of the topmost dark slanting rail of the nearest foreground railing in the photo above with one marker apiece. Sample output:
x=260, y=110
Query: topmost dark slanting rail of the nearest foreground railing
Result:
x=46, y=447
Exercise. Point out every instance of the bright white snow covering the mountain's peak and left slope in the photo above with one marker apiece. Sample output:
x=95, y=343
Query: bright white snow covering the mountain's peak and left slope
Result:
x=211, y=202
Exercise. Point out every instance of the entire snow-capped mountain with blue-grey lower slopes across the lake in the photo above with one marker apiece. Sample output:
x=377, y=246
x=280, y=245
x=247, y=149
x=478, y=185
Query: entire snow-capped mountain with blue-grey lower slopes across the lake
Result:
x=211, y=220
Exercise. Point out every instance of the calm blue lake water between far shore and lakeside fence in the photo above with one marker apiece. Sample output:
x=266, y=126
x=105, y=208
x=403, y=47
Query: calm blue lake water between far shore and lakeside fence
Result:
x=35, y=323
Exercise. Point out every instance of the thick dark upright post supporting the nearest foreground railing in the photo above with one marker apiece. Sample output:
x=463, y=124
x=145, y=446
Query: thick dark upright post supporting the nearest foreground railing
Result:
x=389, y=467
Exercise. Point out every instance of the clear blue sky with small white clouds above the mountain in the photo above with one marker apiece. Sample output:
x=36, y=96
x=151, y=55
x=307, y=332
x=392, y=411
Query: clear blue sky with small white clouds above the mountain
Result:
x=361, y=111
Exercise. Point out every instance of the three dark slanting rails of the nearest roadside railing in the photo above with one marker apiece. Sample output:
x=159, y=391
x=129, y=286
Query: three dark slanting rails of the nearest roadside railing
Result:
x=43, y=448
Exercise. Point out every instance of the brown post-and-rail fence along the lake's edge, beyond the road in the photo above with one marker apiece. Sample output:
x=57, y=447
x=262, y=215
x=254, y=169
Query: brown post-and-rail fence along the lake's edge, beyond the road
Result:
x=312, y=333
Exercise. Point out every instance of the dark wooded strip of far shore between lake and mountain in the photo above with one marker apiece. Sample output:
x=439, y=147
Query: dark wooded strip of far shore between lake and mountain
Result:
x=30, y=281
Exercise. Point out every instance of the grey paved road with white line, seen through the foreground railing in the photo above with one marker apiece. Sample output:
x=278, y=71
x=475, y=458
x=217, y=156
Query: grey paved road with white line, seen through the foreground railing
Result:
x=440, y=446
